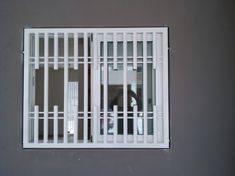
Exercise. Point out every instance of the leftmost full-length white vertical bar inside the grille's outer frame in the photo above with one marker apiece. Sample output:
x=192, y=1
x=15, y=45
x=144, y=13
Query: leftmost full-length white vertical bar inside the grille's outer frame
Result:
x=46, y=79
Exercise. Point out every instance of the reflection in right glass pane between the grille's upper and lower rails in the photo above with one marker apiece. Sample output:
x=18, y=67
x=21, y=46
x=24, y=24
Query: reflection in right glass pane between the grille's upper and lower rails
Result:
x=115, y=87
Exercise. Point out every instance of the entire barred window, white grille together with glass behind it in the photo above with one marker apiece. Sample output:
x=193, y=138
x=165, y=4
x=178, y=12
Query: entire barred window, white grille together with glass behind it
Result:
x=96, y=88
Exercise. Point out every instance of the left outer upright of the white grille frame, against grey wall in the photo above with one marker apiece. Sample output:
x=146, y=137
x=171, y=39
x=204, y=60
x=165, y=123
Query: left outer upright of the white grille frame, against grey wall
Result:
x=26, y=87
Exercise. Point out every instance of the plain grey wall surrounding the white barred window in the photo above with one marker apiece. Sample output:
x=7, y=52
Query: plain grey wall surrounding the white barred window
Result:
x=202, y=87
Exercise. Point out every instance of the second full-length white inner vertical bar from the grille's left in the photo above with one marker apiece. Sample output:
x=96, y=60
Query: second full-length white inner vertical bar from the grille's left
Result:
x=65, y=87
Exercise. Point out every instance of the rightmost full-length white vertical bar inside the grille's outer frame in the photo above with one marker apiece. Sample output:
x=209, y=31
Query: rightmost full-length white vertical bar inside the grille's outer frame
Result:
x=145, y=86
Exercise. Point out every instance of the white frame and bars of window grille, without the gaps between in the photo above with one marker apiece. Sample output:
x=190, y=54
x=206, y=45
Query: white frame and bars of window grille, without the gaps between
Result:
x=160, y=137
